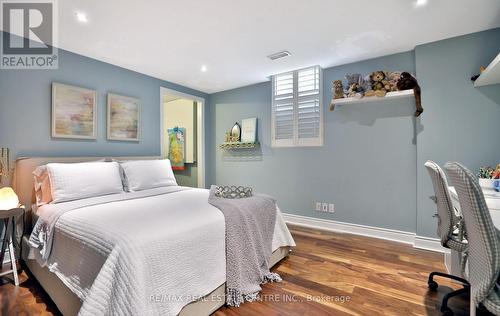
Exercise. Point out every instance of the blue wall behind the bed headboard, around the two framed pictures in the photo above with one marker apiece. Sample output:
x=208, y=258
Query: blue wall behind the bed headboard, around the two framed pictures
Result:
x=25, y=106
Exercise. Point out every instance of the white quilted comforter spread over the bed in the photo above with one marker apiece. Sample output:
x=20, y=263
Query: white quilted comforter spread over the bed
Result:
x=144, y=253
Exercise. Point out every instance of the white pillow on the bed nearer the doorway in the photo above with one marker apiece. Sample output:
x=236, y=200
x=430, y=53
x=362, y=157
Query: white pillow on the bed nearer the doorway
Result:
x=148, y=174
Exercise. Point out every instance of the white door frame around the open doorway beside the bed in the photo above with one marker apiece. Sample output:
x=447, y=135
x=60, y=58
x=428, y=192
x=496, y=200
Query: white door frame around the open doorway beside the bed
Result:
x=200, y=129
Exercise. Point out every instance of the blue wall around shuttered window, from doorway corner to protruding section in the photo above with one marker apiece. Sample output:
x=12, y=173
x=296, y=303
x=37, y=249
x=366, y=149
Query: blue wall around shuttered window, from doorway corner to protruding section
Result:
x=366, y=166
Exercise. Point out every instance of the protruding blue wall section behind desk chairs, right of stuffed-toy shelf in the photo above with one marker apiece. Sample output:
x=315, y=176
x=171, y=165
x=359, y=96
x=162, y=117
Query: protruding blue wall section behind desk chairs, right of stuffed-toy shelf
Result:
x=460, y=122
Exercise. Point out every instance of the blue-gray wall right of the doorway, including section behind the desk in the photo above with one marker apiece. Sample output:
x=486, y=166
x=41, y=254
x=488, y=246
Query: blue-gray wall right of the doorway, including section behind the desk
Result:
x=371, y=164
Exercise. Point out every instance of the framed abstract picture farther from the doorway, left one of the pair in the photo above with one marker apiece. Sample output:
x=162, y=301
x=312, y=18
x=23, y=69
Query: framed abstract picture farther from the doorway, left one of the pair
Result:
x=74, y=112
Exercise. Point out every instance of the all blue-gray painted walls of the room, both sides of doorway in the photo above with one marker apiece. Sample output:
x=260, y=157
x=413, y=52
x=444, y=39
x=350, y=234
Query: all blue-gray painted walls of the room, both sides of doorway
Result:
x=370, y=165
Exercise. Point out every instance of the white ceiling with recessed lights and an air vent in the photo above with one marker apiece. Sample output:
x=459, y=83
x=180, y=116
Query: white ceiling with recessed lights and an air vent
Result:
x=171, y=39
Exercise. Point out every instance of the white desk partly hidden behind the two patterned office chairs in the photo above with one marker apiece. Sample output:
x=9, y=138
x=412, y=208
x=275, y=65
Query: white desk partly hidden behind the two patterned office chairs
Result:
x=492, y=199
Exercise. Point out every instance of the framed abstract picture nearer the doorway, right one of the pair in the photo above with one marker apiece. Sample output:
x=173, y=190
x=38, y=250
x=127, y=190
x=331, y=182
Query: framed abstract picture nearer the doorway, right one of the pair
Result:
x=123, y=118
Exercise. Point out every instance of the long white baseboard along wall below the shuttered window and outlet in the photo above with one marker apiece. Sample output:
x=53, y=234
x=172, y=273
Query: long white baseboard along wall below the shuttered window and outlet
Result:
x=420, y=242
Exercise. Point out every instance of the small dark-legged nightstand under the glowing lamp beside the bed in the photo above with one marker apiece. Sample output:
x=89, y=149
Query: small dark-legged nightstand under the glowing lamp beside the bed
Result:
x=8, y=218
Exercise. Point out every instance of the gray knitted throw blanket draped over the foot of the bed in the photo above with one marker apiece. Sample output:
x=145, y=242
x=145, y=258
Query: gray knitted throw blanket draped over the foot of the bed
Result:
x=249, y=236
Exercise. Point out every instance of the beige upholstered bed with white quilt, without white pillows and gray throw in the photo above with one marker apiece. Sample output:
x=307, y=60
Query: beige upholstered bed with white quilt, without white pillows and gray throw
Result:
x=188, y=272
